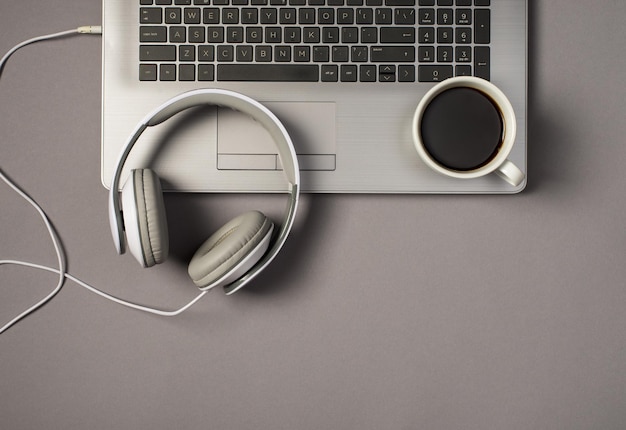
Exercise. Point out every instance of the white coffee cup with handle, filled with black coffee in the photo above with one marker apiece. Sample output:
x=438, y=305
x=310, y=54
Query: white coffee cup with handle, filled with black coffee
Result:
x=427, y=142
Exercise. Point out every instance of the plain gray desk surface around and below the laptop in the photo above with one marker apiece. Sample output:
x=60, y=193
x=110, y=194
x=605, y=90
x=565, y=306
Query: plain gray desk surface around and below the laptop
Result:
x=395, y=312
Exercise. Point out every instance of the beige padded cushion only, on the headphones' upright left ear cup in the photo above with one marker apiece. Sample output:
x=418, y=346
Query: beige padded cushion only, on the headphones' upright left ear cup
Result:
x=151, y=219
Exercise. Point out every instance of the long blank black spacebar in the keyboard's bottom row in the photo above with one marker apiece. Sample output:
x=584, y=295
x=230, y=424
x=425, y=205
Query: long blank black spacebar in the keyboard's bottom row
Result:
x=268, y=72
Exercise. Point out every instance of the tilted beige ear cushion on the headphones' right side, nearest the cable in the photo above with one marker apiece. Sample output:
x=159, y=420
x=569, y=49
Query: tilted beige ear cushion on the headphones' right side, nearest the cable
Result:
x=228, y=247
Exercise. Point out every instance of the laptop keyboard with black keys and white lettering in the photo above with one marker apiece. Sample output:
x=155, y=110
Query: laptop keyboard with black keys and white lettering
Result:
x=394, y=41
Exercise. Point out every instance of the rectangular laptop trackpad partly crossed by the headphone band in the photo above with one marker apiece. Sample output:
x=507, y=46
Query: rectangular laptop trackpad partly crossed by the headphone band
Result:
x=243, y=144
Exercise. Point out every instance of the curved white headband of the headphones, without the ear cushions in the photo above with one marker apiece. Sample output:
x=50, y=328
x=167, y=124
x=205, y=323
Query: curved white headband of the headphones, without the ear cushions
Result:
x=238, y=102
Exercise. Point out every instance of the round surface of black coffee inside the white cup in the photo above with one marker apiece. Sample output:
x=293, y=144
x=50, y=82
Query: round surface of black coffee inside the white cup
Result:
x=462, y=129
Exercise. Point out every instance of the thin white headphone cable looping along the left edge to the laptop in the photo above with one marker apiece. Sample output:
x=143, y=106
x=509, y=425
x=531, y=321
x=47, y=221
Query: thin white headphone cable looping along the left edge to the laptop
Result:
x=58, y=247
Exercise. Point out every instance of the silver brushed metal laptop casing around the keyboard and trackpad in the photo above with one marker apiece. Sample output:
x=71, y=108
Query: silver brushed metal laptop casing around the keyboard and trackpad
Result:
x=374, y=148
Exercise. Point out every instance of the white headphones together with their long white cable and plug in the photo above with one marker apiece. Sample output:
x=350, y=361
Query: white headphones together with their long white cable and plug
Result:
x=231, y=258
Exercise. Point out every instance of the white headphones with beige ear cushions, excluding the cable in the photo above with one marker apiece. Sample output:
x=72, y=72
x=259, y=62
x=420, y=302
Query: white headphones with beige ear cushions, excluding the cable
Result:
x=238, y=251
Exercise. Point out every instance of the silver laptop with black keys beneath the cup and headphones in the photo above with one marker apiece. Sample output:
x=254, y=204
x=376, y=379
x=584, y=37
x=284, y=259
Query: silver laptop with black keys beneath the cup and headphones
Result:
x=344, y=77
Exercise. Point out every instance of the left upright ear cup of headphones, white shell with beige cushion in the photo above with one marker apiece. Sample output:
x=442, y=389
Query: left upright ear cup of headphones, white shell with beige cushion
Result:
x=144, y=218
